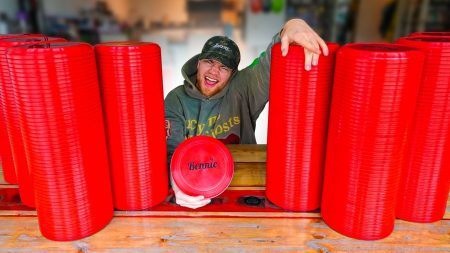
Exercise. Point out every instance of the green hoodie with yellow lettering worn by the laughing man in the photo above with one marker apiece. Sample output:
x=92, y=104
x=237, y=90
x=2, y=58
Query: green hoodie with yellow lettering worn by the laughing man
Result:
x=229, y=116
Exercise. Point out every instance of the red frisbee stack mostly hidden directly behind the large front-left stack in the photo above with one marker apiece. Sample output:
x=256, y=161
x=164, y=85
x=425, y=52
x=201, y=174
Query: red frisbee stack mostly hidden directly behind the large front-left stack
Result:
x=11, y=115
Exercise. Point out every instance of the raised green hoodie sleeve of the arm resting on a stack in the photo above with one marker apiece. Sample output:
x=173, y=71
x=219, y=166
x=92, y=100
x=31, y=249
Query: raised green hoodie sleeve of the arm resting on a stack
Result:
x=253, y=81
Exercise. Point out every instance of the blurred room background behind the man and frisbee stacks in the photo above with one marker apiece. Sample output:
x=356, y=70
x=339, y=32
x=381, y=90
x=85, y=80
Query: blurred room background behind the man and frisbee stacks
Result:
x=181, y=27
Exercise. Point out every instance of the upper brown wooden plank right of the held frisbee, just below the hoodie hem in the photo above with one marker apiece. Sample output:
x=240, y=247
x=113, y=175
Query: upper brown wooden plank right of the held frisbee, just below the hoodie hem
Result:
x=248, y=153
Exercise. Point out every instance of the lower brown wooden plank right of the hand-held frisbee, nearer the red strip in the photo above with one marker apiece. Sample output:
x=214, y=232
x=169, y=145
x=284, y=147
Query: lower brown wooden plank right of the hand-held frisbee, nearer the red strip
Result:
x=249, y=174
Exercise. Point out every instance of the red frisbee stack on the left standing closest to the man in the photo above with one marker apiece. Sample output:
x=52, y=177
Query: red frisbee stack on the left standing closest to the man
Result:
x=133, y=101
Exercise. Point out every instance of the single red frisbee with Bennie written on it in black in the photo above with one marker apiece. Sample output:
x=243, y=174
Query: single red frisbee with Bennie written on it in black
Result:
x=202, y=165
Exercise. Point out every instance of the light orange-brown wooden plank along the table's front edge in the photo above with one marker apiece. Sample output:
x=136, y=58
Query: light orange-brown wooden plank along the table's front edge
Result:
x=142, y=234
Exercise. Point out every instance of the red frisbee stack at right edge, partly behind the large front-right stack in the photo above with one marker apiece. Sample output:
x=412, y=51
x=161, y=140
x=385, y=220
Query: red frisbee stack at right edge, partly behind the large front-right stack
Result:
x=426, y=176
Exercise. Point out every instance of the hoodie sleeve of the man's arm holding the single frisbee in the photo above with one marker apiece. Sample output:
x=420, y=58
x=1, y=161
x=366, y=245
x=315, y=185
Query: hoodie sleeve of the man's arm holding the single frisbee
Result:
x=175, y=123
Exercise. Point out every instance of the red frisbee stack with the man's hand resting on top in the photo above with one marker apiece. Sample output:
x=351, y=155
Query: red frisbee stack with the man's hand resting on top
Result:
x=298, y=120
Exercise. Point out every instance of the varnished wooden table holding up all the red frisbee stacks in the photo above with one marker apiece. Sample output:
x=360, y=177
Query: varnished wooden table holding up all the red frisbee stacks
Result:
x=183, y=230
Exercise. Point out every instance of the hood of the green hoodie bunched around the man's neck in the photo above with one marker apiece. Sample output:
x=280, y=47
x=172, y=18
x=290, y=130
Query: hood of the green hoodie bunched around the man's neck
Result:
x=189, y=72
